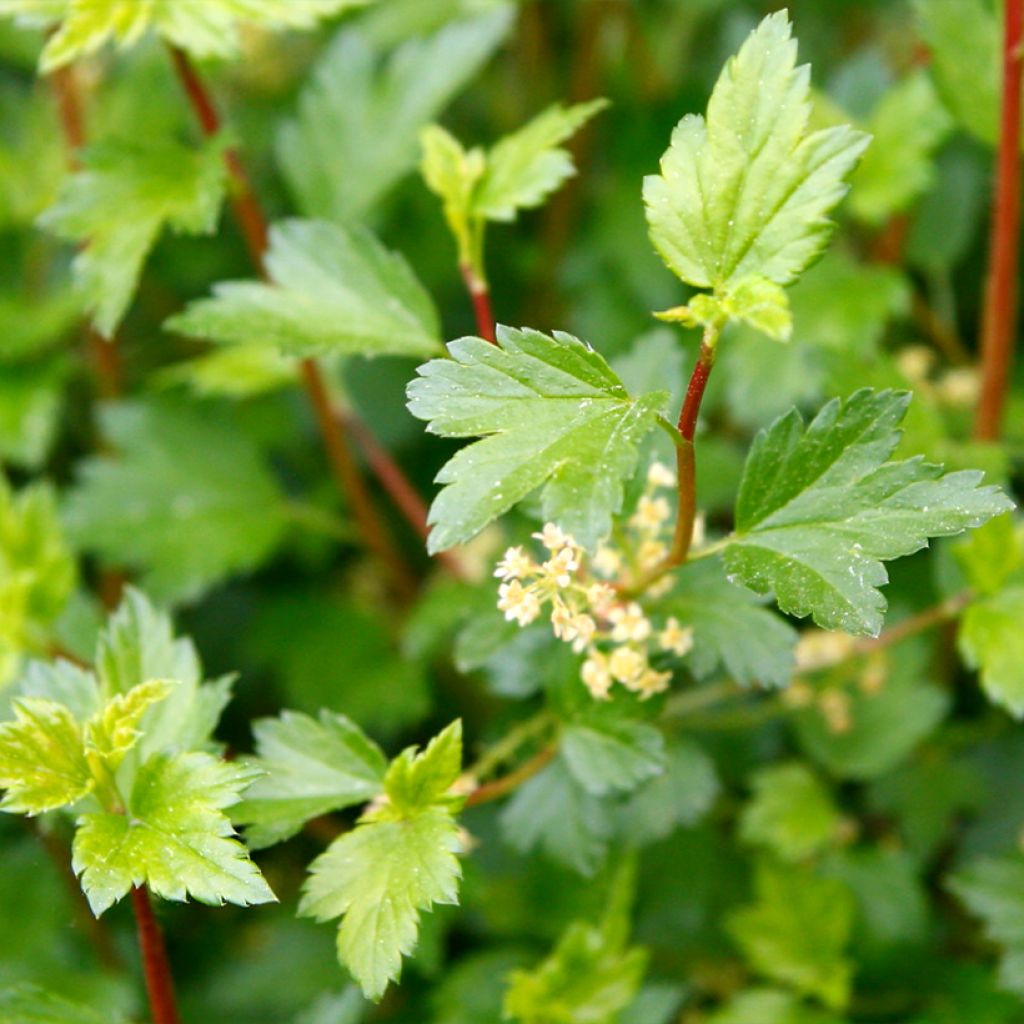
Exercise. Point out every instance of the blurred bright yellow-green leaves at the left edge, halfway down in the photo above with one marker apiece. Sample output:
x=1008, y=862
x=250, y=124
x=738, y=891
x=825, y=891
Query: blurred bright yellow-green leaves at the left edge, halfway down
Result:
x=37, y=572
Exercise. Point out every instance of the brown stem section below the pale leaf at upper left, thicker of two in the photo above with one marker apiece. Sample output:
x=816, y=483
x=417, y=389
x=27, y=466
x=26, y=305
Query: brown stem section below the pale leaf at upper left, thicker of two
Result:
x=348, y=475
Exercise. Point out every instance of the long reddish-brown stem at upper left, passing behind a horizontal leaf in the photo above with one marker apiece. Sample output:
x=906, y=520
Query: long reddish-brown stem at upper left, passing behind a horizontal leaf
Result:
x=333, y=429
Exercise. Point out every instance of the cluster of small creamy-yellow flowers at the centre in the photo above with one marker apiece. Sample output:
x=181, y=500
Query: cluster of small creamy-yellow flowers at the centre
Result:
x=617, y=636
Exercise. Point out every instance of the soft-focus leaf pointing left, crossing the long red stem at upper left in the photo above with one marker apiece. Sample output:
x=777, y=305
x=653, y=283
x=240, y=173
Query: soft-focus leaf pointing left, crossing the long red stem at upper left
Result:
x=331, y=290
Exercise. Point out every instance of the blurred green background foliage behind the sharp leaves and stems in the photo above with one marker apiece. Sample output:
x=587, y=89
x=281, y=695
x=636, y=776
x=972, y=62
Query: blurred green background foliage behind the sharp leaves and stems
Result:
x=871, y=787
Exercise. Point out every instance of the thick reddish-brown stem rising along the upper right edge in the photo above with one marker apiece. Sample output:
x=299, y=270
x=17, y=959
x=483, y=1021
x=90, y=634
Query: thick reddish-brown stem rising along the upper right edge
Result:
x=999, y=322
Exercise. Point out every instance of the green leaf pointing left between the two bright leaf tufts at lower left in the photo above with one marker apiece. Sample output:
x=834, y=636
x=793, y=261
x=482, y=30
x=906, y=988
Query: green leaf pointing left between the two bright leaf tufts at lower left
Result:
x=311, y=769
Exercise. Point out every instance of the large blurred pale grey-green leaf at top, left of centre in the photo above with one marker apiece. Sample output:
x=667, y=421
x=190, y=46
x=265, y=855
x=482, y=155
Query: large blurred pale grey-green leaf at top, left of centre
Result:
x=356, y=133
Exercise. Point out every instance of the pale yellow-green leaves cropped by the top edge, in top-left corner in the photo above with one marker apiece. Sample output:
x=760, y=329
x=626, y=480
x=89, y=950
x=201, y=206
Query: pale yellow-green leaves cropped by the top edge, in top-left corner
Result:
x=206, y=30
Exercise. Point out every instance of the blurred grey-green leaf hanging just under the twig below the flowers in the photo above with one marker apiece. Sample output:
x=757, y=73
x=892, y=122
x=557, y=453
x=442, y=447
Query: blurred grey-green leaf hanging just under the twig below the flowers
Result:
x=553, y=814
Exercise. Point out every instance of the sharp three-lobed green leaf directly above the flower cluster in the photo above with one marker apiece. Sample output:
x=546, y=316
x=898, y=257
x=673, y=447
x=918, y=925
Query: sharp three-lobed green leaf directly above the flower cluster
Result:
x=552, y=413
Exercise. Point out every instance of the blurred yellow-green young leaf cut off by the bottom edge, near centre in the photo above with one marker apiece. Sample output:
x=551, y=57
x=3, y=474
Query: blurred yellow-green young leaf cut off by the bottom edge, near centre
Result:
x=590, y=976
